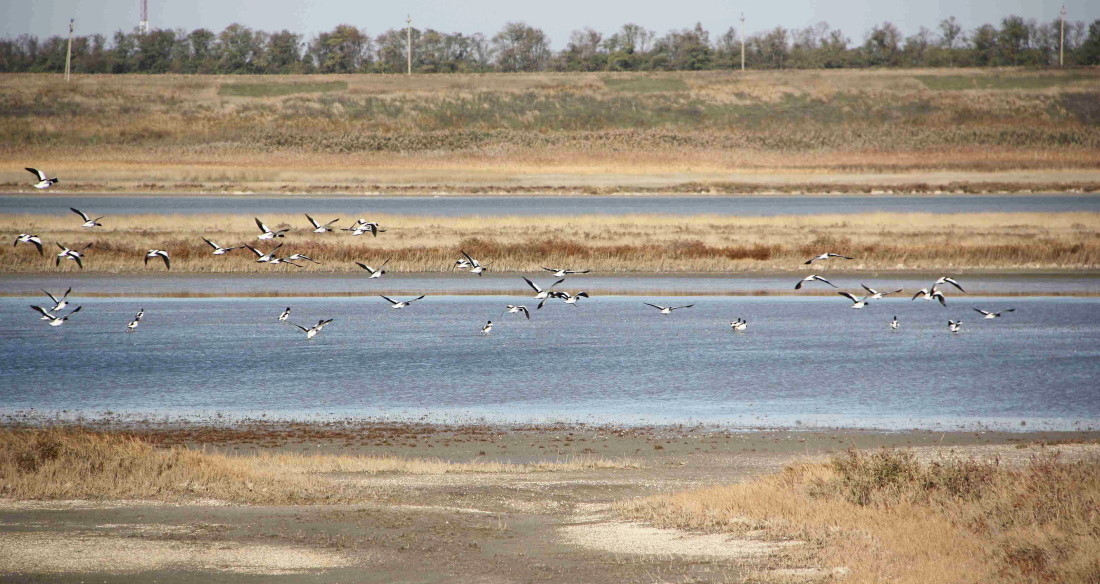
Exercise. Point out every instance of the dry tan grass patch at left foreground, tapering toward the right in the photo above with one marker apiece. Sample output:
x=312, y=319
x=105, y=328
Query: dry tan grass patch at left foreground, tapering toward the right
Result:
x=81, y=465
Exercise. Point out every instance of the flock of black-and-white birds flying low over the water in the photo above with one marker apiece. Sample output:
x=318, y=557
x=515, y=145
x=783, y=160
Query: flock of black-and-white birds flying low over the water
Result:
x=467, y=262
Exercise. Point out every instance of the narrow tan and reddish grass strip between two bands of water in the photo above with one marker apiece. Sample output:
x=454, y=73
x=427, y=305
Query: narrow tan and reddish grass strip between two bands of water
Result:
x=607, y=245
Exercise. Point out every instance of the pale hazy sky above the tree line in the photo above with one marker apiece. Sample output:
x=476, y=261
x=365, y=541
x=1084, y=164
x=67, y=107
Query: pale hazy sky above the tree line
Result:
x=558, y=18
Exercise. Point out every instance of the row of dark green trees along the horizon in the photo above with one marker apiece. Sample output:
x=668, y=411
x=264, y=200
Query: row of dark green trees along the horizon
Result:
x=521, y=48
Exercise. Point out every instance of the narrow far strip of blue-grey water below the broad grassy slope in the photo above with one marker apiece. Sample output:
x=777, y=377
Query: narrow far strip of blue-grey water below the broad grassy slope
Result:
x=357, y=206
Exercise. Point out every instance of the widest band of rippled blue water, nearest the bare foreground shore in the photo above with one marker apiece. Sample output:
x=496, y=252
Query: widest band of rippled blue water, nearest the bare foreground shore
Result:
x=804, y=361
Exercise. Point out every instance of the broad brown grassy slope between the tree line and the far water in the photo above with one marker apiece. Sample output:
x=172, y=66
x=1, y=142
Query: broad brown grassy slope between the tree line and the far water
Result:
x=714, y=131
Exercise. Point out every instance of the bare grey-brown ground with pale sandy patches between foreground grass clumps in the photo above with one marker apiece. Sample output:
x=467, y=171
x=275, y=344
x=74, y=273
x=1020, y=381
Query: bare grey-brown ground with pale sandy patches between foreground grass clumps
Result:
x=457, y=528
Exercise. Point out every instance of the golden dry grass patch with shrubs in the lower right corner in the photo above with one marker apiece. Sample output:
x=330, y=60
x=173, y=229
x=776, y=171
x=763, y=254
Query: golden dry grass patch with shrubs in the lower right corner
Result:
x=889, y=519
